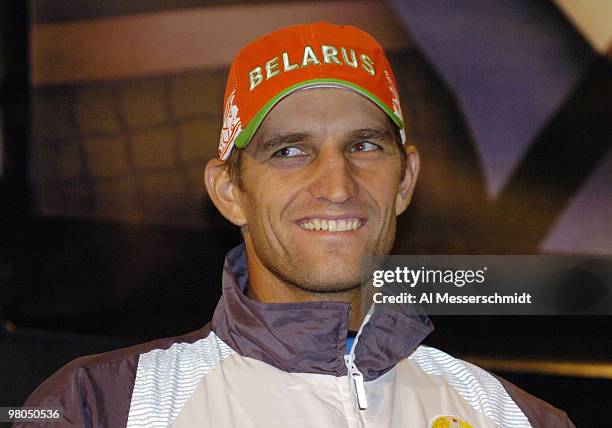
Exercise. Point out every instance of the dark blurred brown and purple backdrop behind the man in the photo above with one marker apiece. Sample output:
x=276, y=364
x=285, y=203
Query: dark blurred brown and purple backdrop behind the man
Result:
x=110, y=110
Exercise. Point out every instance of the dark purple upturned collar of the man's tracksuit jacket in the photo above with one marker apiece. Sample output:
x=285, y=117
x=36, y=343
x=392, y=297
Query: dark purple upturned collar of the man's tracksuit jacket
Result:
x=310, y=337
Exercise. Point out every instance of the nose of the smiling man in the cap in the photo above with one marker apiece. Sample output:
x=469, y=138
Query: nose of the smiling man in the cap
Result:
x=333, y=178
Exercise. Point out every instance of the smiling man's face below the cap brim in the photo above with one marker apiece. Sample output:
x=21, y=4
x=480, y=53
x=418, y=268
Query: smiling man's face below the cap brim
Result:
x=319, y=193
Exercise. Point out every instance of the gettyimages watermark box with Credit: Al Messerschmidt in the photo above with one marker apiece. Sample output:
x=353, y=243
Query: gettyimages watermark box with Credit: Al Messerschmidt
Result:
x=496, y=285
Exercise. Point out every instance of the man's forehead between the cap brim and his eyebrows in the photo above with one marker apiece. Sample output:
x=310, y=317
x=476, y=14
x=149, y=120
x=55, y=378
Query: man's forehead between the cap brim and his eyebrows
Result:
x=322, y=111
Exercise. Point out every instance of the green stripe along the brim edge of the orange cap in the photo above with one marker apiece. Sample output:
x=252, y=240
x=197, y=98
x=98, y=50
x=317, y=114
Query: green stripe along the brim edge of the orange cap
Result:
x=244, y=138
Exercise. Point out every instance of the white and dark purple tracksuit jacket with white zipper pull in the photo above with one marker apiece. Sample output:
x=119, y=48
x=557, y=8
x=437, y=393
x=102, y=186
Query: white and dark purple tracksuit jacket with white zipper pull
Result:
x=284, y=365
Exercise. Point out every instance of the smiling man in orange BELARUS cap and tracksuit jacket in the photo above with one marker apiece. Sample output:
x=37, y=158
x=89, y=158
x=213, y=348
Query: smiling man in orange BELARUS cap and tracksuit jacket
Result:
x=314, y=170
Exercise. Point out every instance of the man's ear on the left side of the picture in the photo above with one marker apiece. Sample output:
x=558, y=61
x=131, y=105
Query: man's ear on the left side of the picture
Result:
x=223, y=192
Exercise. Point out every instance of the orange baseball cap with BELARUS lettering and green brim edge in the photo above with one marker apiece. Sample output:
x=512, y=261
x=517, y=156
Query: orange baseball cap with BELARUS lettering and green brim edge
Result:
x=298, y=57
